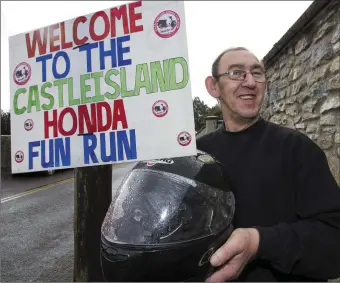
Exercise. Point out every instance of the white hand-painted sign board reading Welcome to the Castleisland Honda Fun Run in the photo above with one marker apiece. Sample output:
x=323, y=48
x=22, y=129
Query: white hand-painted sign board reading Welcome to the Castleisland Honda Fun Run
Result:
x=108, y=87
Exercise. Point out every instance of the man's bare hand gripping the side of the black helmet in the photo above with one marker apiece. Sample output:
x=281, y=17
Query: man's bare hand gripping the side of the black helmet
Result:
x=240, y=248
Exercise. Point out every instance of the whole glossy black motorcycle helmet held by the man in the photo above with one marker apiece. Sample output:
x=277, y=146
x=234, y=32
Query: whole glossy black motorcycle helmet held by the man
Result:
x=168, y=217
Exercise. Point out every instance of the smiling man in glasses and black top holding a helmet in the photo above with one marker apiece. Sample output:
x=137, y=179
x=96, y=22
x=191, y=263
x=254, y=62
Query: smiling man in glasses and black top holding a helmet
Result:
x=287, y=202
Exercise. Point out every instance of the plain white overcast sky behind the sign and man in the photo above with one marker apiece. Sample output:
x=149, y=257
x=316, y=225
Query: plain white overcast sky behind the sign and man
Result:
x=212, y=26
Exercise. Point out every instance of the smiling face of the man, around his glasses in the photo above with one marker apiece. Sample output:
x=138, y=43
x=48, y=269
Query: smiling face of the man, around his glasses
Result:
x=242, y=98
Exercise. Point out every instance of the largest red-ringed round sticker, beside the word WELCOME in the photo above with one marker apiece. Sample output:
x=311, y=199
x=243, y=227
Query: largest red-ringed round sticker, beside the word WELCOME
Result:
x=167, y=24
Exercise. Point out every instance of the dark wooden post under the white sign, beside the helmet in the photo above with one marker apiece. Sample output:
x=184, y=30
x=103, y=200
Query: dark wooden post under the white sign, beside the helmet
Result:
x=92, y=197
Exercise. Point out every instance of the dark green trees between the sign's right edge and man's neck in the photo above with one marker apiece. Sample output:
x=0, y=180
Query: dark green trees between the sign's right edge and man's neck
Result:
x=201, y=111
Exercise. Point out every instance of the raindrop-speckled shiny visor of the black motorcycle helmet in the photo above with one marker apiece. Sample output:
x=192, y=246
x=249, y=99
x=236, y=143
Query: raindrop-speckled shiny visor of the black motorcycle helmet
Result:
x=154, y=207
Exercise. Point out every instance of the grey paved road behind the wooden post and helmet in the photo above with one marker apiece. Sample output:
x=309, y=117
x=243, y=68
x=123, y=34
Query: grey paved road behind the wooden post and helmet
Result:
x=37, y=232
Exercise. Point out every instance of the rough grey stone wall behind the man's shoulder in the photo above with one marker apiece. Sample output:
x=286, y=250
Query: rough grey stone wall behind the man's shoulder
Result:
x=303, y=90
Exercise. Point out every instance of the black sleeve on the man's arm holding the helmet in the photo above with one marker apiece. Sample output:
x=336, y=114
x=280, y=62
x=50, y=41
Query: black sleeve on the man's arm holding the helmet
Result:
x=311, y=246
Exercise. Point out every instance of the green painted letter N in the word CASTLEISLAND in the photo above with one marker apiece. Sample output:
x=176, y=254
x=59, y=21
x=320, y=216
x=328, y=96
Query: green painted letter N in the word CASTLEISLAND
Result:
x=157, y=76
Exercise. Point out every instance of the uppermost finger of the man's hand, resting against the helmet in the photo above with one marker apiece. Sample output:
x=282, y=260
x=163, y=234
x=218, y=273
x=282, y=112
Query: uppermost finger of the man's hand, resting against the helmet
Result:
x=225, y=252
